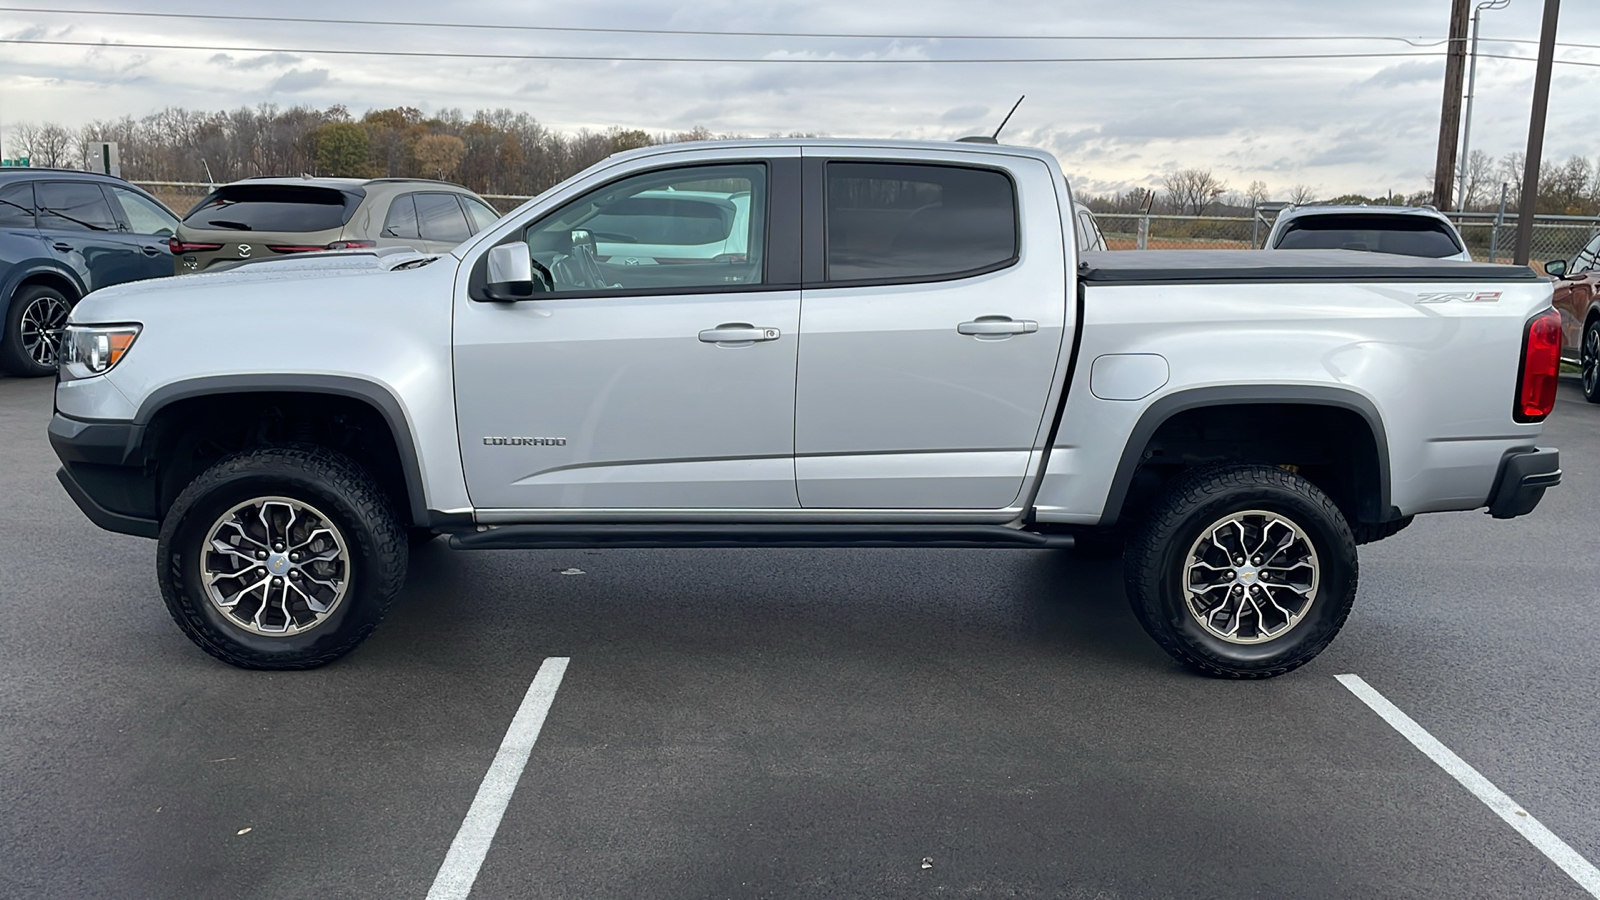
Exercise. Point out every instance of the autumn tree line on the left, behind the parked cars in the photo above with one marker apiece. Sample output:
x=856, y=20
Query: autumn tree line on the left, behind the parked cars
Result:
x=492, y=151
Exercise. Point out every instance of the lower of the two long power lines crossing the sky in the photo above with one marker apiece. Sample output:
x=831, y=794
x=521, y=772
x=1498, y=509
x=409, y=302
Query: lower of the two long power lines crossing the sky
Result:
x=798, y=60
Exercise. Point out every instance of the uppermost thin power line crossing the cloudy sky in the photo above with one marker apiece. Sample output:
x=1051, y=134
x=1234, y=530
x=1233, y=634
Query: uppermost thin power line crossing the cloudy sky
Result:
x=692, y=33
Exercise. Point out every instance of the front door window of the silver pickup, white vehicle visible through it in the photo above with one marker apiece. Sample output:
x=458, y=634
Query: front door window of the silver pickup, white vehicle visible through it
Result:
x=671, y=230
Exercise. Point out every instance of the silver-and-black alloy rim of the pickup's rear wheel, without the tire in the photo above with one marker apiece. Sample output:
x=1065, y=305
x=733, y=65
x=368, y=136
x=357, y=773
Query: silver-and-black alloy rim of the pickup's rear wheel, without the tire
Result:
x=1250, y=577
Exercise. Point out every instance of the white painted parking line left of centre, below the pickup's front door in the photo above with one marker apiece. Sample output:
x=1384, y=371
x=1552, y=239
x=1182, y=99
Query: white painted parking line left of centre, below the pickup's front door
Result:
x=478, y=830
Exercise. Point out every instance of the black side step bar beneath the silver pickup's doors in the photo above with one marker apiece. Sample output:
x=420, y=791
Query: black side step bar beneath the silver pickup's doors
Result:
x=754, y=536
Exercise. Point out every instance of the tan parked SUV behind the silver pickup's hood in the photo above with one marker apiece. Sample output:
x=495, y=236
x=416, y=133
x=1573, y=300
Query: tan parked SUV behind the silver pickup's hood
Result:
x=273, y=217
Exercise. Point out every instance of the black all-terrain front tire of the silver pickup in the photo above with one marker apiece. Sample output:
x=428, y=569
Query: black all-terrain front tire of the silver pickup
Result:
x=348, y=500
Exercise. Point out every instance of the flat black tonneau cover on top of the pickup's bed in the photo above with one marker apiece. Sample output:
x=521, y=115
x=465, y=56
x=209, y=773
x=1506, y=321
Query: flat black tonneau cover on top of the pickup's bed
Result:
x=1199, y=267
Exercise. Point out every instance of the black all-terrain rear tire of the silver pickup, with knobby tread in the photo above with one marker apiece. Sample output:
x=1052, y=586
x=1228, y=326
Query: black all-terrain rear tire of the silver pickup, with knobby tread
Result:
x=1158, y=560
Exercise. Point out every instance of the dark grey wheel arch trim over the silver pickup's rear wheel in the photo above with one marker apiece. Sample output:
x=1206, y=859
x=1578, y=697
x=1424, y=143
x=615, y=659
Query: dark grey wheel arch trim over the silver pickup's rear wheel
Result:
x=1238, y=395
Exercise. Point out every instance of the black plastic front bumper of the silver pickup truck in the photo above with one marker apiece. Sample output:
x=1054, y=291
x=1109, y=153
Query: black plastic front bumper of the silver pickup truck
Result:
x=105, y=475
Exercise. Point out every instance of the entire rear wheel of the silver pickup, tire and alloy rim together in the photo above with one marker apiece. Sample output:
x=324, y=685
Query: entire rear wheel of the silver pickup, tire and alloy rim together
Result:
x=1242, y=571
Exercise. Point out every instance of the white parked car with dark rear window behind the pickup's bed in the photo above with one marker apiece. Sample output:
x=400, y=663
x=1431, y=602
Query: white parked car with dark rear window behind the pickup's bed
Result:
x=1409, y=231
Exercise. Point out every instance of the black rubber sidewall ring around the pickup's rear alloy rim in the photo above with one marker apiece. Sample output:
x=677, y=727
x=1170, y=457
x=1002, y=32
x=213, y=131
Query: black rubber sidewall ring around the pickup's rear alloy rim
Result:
x=1338, y=576
